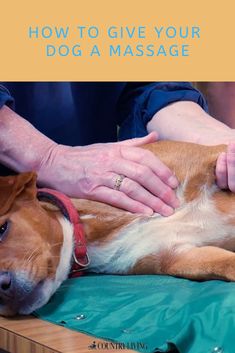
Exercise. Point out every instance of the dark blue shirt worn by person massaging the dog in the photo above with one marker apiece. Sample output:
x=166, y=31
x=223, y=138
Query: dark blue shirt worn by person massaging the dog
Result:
x=83, y=113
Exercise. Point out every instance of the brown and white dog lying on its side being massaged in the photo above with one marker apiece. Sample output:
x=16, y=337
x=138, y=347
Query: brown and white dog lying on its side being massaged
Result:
x=37, y=242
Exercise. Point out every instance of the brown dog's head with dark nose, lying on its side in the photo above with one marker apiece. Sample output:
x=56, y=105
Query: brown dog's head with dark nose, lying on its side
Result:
x=30, y=245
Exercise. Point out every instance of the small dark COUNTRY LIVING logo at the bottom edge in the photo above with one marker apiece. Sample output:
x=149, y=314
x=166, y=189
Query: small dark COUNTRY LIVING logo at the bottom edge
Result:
x=117, y=345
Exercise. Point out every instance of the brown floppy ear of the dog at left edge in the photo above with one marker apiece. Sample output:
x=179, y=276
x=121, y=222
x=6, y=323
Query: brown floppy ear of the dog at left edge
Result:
x=23, y=185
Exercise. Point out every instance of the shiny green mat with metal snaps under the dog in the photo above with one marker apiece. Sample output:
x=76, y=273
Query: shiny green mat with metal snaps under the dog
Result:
x=148, y=313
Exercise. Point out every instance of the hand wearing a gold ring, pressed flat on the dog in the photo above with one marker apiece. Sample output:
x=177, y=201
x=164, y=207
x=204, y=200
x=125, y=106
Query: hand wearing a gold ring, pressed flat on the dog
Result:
x=91, y=172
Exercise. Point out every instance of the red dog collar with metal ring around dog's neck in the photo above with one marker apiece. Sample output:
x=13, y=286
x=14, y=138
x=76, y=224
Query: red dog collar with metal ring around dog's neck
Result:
x=81, y=260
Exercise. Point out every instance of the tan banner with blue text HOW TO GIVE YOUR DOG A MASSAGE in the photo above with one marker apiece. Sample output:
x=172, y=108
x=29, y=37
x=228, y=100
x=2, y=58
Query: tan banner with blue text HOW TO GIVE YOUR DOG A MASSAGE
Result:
x=124, y=40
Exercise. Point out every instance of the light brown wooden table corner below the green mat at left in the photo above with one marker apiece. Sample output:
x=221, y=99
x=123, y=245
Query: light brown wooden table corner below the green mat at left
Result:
x=31, y=335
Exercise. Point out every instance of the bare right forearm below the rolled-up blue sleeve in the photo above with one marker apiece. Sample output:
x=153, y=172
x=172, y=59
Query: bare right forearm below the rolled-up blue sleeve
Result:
x=187, y=121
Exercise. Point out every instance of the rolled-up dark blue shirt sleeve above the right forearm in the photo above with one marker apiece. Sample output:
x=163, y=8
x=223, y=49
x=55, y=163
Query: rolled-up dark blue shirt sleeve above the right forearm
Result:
x=140, y=101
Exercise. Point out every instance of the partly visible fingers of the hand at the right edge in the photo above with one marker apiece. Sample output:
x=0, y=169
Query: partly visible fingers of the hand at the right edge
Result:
x=225, y=169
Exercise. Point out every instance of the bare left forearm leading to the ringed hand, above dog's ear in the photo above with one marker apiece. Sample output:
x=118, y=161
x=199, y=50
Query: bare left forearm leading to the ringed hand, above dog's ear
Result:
x=22, y=147
